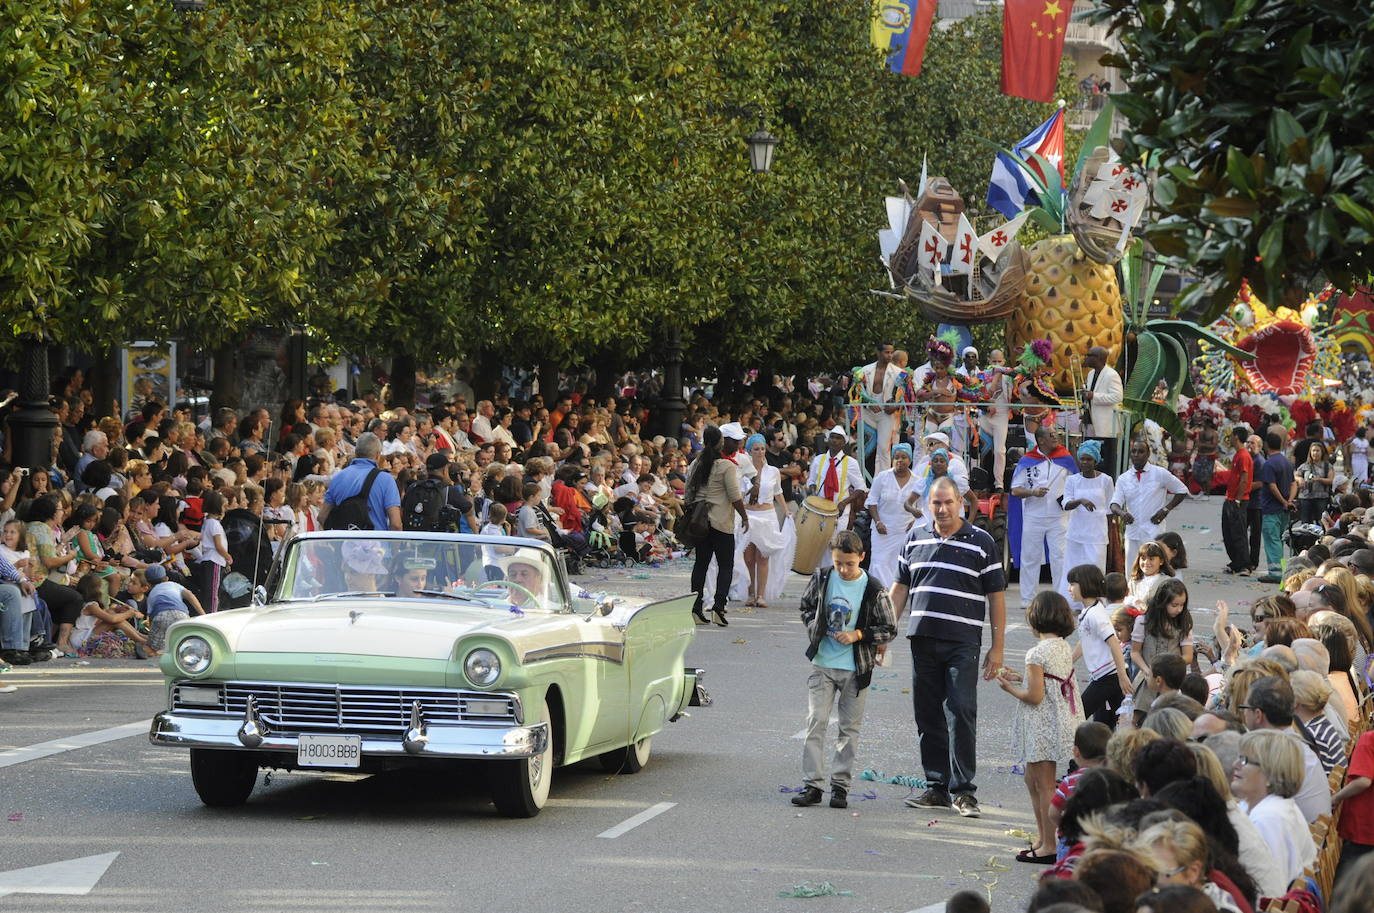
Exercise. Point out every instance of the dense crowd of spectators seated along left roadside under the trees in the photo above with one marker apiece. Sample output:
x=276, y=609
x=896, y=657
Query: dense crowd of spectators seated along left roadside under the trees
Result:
x=208, y=498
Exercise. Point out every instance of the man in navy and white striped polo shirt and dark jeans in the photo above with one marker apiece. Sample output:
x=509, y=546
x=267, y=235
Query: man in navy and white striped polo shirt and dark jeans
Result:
x=950, y=580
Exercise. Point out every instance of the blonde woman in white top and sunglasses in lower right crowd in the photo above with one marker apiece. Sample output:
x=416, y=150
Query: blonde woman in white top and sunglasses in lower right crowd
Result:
x=1268, y=775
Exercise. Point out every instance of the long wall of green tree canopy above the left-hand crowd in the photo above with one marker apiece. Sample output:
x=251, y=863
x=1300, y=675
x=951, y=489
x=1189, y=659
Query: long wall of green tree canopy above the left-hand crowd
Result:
x=476, y=177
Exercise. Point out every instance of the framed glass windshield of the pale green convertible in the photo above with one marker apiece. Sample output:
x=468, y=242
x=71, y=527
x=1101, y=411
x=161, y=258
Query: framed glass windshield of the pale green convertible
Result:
x=439, y=570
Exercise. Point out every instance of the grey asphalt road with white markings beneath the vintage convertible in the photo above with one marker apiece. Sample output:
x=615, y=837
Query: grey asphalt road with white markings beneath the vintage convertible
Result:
x=712, y=831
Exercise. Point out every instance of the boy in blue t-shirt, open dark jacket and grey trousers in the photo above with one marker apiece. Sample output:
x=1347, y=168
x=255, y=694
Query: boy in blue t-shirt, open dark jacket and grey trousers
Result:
x=848, y=617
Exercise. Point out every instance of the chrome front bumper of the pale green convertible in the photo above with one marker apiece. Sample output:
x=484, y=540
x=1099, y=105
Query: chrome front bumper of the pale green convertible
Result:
x=188, y=729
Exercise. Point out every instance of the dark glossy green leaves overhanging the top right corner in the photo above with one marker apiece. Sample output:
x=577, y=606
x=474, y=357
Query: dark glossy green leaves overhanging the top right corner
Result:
x=1268, y=163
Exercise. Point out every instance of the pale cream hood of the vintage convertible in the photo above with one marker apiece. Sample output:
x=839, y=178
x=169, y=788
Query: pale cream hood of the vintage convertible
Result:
x=392, y=629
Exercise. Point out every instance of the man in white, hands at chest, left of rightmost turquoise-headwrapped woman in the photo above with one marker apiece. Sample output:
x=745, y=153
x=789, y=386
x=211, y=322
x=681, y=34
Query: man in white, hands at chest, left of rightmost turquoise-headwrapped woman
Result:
x=1039, y=483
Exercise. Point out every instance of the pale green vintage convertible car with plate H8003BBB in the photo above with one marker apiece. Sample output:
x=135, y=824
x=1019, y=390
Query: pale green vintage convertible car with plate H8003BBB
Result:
x=373, y=651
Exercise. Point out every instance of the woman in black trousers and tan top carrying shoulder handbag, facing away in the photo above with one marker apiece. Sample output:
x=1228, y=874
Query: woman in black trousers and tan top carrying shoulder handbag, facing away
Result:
x=712, y=493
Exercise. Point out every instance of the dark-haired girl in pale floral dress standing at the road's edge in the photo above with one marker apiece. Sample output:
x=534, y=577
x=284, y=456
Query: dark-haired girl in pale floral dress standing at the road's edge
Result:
x=1048, y=714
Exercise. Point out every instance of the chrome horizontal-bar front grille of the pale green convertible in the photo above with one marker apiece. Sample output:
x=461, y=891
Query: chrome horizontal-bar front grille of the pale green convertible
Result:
x=318, y=709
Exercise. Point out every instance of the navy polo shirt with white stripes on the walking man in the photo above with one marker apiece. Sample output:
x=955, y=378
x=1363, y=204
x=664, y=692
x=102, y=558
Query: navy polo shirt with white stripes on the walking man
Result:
x=949, y=582
